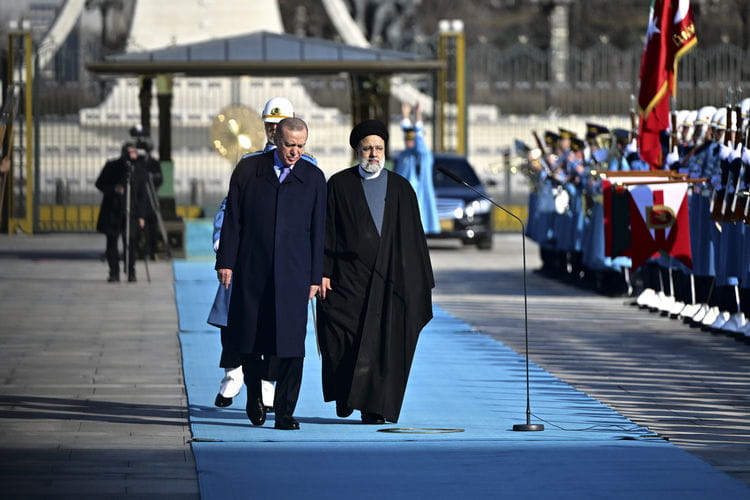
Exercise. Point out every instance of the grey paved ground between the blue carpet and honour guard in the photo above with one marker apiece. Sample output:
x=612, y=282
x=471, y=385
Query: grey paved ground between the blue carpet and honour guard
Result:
x=683, y=383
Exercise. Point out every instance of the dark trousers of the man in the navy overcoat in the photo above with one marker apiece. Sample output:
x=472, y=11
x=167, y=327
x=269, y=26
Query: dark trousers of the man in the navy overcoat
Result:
x=288, y=381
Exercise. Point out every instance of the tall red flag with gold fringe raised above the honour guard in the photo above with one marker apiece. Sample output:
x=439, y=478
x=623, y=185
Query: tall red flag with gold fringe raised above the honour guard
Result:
x=670, y=34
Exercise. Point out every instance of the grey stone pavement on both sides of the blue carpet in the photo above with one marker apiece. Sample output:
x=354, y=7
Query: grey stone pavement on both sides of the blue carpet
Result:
x=92, y=399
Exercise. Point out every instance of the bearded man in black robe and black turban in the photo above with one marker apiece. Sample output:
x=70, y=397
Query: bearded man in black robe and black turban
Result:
x=376, y=294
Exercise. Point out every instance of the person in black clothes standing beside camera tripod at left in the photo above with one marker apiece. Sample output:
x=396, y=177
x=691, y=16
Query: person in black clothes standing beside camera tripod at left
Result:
x=119, y=176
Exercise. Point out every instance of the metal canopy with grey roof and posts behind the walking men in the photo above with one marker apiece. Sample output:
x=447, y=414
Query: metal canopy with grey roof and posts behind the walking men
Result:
x=261, y=54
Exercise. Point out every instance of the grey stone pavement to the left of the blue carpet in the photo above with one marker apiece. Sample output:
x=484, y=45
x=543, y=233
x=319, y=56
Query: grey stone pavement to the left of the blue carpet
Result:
x=92, y=400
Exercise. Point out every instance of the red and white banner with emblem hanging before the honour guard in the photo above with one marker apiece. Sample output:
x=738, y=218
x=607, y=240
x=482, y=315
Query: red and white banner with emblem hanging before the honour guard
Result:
x=659, y=221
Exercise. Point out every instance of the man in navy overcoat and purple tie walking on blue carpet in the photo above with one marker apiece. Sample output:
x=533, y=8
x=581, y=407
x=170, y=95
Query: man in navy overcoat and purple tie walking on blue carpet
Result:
x=271, y=250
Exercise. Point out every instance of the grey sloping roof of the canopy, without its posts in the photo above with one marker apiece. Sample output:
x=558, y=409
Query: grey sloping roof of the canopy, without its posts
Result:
x=265, y=54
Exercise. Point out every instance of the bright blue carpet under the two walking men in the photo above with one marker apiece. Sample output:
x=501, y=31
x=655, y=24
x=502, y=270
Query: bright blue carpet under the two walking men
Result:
x=454, y=438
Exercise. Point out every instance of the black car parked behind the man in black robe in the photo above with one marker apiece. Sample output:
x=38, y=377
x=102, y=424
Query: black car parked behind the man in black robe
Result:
x=463, y=213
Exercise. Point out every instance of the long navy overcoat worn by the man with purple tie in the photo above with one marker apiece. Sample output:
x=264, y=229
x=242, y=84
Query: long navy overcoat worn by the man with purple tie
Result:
x=272, y=240
